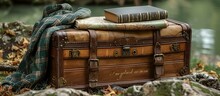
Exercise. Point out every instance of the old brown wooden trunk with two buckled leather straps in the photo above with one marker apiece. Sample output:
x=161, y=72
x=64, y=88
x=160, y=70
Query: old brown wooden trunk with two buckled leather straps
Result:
x=93, y=58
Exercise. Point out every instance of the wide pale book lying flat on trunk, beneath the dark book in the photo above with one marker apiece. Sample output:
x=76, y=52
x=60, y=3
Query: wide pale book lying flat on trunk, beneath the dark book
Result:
x=99, y=23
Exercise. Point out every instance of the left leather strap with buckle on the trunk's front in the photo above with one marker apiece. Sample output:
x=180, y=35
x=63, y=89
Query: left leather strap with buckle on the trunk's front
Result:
x=93, y=61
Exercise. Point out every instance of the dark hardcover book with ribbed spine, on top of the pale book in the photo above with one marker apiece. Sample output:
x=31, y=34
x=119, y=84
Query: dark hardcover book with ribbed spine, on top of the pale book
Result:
x=135, y=14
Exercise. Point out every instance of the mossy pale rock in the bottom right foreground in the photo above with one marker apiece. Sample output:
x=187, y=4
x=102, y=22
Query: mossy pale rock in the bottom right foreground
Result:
x=171, y=87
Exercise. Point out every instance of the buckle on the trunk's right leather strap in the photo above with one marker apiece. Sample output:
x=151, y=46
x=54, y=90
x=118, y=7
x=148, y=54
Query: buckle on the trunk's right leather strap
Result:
x=158, y=59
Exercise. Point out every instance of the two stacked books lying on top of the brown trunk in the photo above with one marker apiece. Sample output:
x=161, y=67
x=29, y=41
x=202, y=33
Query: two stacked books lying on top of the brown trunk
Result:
x=127, y=18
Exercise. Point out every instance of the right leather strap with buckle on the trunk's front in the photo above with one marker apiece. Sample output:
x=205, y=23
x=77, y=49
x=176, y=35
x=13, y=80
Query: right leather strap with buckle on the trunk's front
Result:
x=158, y=56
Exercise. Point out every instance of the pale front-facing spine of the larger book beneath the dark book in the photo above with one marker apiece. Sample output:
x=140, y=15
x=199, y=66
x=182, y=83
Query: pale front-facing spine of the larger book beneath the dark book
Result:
x=151, y=25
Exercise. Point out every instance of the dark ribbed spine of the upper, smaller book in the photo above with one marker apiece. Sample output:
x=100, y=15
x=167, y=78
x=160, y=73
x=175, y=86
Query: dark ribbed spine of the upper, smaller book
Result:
x=125, y=18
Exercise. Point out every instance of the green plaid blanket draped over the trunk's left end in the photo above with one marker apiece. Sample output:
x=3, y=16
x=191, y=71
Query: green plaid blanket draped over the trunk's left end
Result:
x=33, y=68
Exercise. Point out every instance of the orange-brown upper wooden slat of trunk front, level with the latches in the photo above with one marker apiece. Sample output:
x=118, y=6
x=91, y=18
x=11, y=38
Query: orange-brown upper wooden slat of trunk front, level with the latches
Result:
x=141, y=51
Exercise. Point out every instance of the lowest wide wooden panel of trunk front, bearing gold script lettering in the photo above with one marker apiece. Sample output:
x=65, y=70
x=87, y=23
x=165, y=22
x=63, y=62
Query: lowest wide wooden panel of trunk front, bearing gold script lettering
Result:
x=121, y=73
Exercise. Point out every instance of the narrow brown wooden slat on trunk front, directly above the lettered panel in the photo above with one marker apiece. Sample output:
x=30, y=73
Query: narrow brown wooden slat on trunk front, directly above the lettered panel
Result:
x=82, y=63
